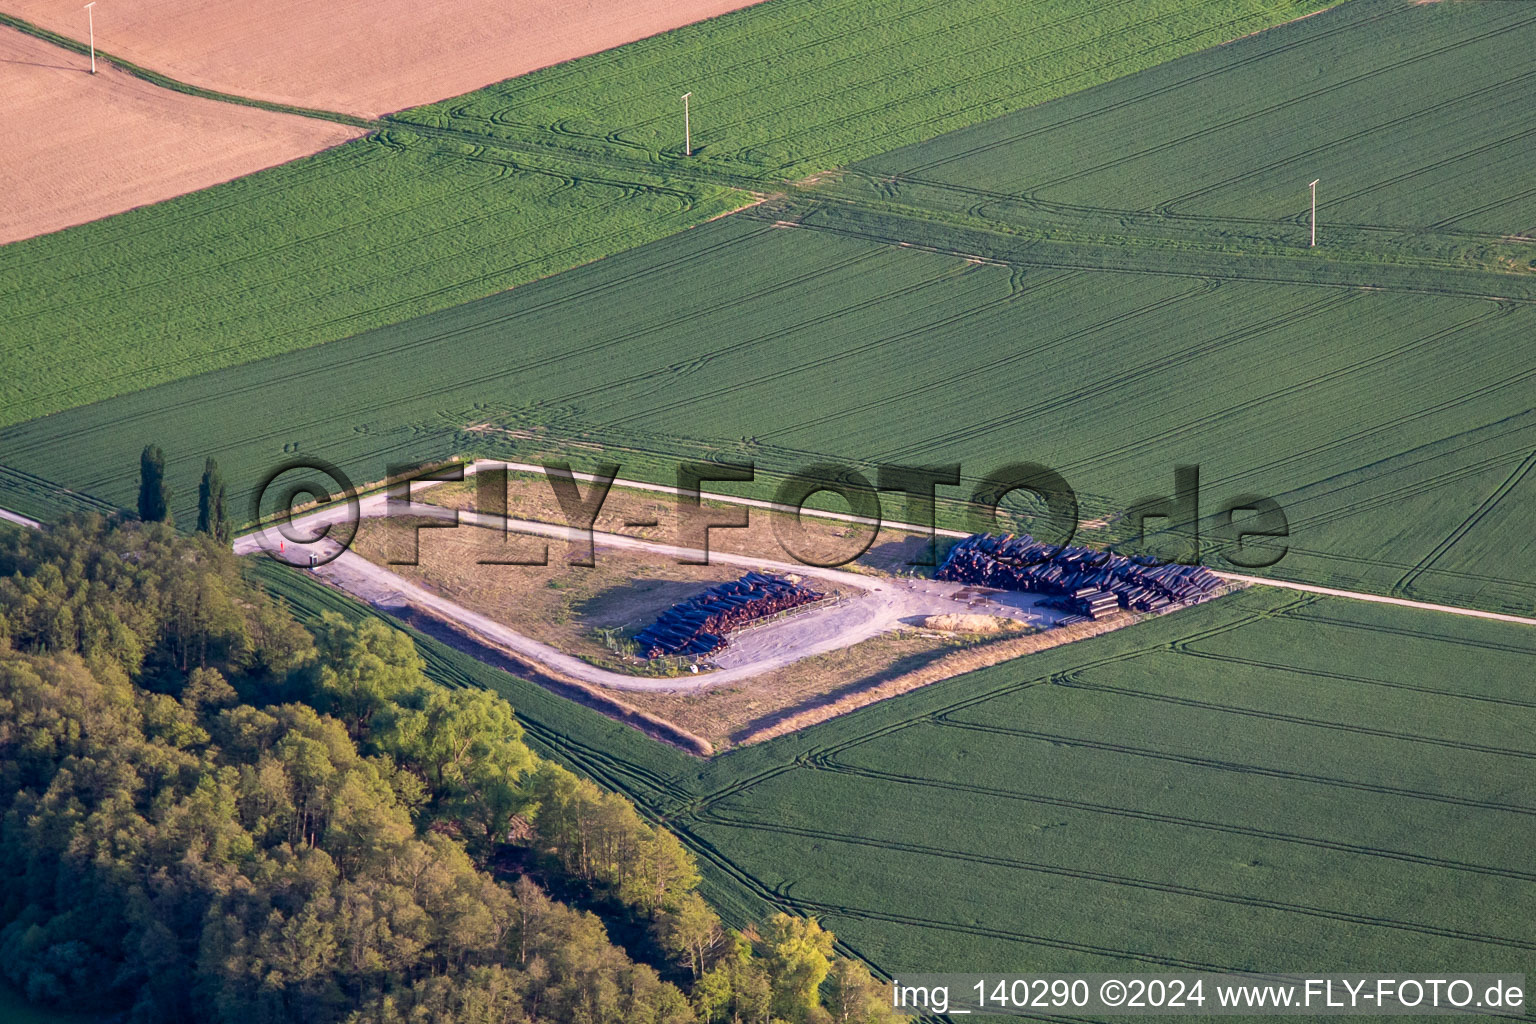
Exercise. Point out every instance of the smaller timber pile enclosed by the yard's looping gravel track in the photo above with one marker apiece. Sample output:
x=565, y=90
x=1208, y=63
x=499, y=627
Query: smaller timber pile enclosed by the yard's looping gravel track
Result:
x=700, y=624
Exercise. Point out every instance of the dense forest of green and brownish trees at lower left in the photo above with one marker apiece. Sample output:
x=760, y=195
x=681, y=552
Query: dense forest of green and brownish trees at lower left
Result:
x=216, y=814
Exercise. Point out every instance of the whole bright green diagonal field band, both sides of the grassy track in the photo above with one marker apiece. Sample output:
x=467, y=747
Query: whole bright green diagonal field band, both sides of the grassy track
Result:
x=545, y=173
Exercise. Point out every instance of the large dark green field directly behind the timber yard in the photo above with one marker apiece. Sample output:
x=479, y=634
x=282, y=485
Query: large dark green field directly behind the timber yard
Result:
x=1402, y=458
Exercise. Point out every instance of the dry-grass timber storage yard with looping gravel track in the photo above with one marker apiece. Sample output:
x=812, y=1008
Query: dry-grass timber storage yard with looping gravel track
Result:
x=804, y=646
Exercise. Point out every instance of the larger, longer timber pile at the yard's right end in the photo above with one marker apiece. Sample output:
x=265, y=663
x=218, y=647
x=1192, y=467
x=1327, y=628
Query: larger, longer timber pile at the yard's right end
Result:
x=1084, y=581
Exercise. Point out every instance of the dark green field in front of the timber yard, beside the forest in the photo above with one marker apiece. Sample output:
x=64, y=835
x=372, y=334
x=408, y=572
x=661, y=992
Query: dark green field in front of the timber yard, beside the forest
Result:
x=1260, y=784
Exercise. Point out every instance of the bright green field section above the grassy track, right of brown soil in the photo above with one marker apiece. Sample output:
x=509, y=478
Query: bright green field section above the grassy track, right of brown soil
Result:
x=798, y=87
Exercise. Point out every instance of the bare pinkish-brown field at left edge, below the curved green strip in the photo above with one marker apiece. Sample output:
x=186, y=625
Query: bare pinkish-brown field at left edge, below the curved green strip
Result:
x=81, y=148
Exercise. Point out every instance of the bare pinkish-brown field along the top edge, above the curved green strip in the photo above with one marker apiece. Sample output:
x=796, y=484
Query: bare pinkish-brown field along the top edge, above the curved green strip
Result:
x=363, y=58
